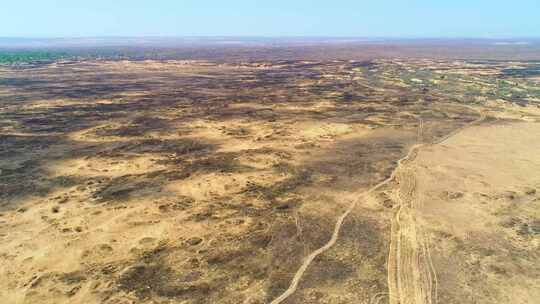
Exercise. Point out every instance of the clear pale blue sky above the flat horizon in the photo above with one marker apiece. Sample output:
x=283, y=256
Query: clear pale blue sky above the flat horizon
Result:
x=380, y=18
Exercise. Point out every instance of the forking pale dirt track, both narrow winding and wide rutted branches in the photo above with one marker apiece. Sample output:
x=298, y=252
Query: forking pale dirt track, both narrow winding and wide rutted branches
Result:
x=410, y=280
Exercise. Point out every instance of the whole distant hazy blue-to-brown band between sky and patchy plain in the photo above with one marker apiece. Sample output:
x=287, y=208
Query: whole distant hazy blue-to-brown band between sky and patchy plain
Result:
x=268, y=48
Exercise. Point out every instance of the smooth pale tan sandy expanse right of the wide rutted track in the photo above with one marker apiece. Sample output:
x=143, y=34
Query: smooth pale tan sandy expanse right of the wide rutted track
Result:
x=476, y=211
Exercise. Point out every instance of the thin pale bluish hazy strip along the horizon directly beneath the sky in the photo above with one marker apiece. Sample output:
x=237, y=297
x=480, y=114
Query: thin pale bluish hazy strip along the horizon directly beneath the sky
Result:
x=182, y=41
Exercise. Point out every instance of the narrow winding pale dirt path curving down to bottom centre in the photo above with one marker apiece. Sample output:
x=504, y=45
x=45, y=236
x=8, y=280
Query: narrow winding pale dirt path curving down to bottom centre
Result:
x=411, y=154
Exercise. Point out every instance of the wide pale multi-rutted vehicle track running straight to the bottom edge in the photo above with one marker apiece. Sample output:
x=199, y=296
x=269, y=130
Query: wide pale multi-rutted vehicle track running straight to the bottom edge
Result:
x=411, y=274
